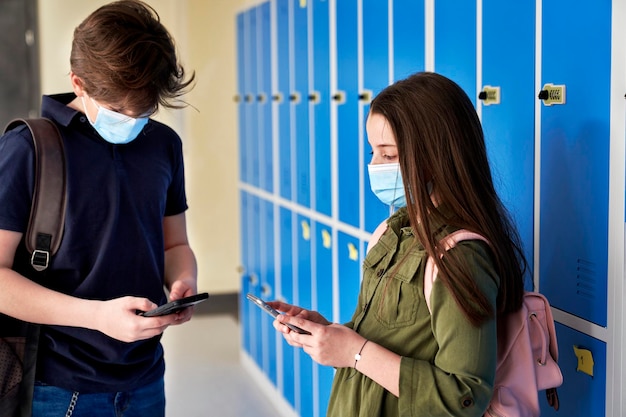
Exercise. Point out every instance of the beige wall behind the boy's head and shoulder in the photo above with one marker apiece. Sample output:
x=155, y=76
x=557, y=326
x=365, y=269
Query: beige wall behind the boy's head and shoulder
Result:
x=204, y=31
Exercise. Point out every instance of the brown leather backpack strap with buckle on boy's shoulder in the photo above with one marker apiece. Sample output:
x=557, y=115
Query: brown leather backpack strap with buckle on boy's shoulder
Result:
x=47, y=216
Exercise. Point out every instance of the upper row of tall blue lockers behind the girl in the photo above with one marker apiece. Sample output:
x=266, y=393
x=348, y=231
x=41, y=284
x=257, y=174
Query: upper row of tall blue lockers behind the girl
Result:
x=308, y=69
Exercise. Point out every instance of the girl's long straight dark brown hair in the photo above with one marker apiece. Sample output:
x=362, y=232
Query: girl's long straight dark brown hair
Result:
x=440, y=139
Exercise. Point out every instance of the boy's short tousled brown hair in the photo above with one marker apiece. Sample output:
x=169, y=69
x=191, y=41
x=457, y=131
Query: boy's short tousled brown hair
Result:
x=125, y=57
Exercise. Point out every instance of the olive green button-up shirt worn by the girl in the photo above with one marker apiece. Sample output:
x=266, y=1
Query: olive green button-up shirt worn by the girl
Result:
x=448, y=365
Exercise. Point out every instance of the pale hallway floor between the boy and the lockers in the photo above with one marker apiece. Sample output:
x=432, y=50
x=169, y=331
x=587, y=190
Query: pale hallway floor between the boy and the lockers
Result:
x=204, y=376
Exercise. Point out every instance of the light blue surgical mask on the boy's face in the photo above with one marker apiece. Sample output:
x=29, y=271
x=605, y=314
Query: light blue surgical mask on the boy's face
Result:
x=114, y=127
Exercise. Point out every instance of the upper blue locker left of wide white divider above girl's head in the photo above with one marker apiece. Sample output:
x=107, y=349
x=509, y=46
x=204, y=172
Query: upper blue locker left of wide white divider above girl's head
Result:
x=408, y=38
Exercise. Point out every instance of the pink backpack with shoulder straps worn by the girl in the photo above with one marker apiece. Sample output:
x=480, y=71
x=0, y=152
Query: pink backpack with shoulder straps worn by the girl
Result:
x=527, y=349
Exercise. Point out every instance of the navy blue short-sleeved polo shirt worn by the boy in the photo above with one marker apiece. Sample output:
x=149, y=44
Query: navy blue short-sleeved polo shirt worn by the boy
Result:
x=117, y=197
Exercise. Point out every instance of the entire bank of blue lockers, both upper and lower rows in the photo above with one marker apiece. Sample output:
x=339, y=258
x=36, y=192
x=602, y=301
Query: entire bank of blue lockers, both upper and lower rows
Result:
x=307, y=70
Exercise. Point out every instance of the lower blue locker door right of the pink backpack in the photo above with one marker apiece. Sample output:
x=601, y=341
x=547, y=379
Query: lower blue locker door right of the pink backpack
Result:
x=582, y=394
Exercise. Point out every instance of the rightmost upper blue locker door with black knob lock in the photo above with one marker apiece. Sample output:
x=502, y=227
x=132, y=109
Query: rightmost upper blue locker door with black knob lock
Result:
x=575, y=158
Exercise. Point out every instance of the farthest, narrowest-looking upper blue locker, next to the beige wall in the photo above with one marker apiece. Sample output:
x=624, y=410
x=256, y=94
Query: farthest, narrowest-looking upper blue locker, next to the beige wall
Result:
x=242, y=88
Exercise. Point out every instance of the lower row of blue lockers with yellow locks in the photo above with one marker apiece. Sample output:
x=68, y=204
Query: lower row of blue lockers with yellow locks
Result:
x=290, y=256
